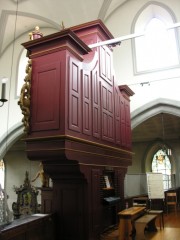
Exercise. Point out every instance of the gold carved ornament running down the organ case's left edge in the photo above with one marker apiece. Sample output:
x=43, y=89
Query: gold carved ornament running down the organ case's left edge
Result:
x=24, y=100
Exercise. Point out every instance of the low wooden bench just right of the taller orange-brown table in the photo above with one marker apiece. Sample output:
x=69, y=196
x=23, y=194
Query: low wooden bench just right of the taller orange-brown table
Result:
x=148, y=221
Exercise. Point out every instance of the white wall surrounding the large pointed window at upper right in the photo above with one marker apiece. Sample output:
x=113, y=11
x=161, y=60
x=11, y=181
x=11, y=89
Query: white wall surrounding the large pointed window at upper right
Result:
x=163, y=84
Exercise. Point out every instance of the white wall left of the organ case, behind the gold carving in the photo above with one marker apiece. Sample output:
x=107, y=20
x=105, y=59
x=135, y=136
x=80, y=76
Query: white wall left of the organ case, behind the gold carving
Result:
x=10, y=113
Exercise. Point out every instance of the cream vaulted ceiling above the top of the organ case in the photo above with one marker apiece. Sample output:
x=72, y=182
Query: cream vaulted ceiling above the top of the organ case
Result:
x=21, y=16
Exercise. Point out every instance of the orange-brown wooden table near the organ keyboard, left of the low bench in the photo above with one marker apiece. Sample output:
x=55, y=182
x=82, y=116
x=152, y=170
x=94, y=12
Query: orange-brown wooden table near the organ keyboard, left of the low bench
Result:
x=126, y=221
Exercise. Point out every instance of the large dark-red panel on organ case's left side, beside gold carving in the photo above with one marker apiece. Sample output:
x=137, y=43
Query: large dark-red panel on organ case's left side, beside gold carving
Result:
x=45, y=95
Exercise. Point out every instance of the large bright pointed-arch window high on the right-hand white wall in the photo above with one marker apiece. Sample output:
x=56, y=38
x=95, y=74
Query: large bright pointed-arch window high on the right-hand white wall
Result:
x=158, y=48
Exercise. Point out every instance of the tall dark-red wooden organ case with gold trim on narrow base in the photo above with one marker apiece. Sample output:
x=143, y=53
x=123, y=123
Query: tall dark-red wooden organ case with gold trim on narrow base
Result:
x=79, y=128
